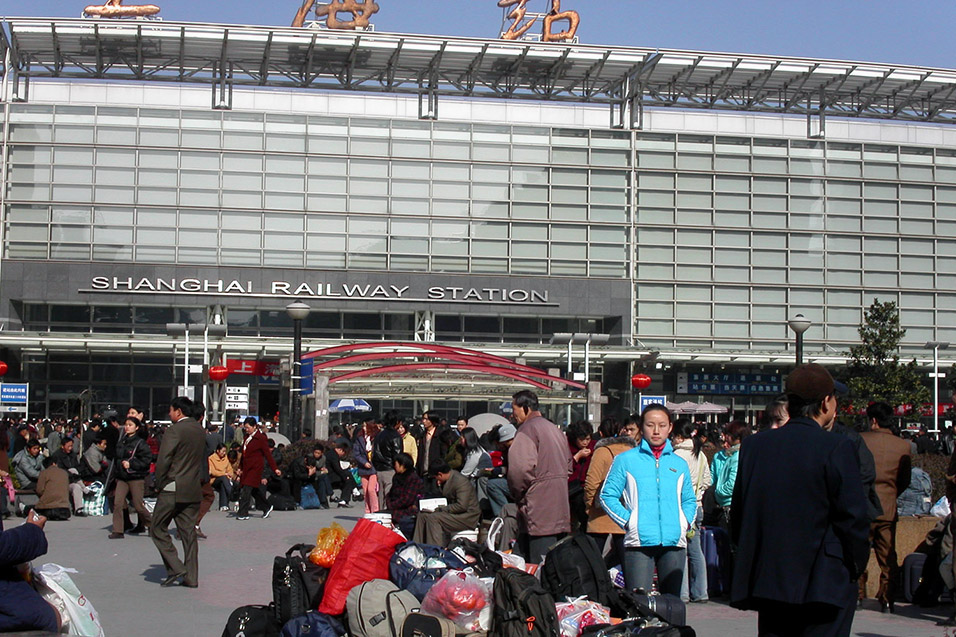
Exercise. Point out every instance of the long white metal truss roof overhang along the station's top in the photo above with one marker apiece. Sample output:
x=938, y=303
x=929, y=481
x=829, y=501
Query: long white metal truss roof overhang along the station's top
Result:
x=625, y=78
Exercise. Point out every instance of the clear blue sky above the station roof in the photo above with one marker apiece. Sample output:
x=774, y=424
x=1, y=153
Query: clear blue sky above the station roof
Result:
x=909, y=32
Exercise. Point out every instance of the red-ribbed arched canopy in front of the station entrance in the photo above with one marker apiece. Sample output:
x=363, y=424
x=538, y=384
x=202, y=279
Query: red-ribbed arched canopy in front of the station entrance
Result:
x=420, y=371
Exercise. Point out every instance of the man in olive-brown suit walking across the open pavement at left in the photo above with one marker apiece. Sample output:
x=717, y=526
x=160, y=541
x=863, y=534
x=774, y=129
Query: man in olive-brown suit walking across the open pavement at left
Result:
x=182, y=455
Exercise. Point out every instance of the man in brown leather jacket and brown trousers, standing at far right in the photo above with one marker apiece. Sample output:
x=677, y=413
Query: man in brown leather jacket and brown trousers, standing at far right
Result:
x=892, y=457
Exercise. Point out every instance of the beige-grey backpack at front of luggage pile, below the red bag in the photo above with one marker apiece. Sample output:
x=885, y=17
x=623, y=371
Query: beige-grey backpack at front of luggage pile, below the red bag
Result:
x=378, y=609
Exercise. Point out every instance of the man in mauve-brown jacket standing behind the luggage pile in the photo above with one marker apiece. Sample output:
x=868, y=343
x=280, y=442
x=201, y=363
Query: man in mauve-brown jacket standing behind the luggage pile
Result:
x=538, y=466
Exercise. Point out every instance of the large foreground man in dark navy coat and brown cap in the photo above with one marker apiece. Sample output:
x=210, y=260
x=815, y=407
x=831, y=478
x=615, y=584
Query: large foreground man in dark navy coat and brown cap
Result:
x=799, y=518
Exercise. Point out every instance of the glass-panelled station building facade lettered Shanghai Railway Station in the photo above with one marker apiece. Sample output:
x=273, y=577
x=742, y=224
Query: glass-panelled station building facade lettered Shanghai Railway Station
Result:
x=689, y=239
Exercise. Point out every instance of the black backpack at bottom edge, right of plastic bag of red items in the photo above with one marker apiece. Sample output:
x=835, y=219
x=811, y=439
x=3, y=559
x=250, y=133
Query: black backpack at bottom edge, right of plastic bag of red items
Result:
x=521, y=607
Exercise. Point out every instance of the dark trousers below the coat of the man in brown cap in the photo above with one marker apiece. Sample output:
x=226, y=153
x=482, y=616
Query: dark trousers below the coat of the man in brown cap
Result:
x=805, y=620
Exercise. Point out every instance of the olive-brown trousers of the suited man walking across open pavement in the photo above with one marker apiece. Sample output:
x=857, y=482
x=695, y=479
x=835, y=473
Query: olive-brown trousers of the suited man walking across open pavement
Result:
x=185, y=514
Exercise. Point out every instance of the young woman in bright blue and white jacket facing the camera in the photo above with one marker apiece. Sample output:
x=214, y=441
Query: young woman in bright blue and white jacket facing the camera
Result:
x=650, y=494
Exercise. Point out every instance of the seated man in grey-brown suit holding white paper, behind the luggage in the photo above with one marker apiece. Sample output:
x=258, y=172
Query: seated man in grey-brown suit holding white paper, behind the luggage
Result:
x=461, y=513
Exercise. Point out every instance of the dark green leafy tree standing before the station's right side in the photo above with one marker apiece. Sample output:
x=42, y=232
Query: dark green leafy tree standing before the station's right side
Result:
x=874, y=372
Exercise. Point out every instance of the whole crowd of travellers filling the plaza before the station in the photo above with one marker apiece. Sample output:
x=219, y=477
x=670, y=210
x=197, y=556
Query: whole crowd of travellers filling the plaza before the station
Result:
x=642, y=487
